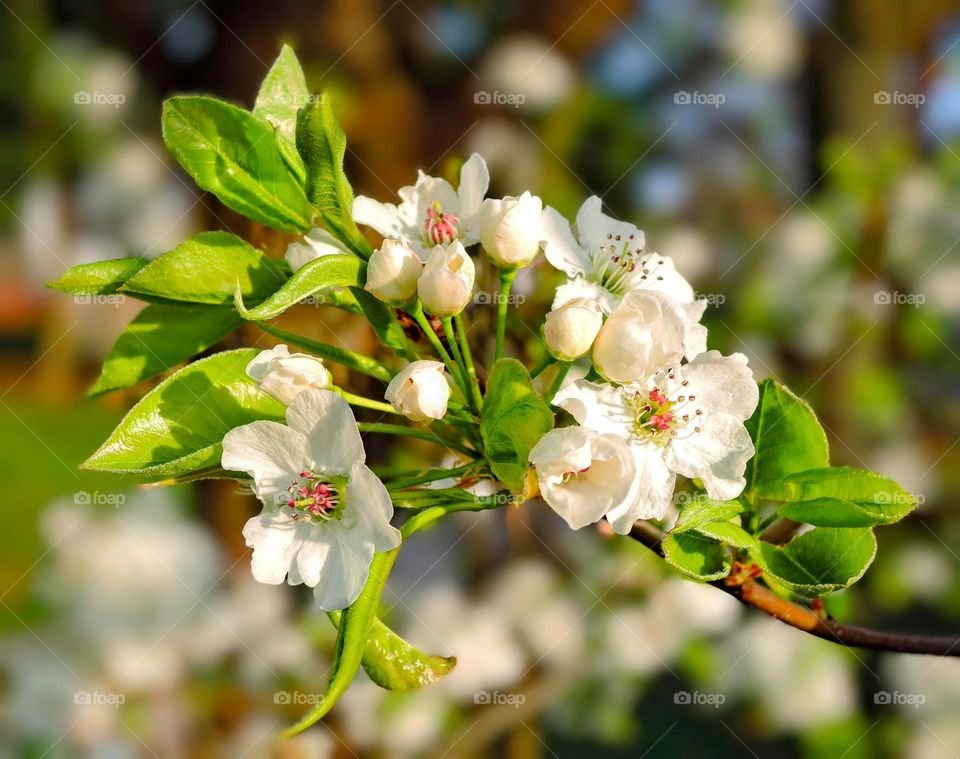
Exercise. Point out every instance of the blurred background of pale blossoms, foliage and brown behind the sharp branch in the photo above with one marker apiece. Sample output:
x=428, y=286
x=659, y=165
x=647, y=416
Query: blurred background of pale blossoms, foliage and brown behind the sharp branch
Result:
x=815, y=206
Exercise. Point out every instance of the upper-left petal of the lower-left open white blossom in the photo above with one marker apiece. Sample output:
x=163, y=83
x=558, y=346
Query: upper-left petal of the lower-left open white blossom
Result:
x=270, y=452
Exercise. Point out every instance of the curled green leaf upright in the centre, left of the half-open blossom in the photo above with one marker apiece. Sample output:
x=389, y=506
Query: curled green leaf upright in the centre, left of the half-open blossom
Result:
x=513, y=419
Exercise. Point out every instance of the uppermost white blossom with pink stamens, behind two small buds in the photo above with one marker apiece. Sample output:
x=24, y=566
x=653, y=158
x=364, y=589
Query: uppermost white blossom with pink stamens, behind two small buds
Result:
x=431, y=212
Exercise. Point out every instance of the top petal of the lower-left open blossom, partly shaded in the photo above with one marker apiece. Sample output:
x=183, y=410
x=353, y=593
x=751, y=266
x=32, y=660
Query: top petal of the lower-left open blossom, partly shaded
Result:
x=332, y=437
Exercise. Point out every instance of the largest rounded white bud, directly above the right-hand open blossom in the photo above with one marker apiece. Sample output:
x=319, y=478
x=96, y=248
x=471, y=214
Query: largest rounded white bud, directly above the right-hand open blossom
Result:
x=642, y=335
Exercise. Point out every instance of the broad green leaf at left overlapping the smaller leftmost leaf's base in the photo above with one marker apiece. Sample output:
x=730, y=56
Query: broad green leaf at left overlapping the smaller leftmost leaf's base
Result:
x=208, y=268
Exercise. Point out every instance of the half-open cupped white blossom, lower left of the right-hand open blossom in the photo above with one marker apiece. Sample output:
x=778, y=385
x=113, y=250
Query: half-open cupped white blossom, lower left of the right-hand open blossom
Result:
x=583, y=474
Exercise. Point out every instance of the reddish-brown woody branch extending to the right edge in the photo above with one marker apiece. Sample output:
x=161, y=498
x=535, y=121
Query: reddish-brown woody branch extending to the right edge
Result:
x=743, y=587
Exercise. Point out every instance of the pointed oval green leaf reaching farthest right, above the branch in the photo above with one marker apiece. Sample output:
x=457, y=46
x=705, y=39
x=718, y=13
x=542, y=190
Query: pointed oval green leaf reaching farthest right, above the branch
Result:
x=840, y=497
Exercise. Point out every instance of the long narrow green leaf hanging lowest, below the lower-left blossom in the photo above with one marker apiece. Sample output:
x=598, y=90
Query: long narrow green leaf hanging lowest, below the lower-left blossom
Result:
x=352, y=635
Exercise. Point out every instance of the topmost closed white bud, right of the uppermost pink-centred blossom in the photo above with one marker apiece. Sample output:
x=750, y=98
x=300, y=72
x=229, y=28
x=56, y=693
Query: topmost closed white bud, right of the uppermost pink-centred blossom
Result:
x=510, y=229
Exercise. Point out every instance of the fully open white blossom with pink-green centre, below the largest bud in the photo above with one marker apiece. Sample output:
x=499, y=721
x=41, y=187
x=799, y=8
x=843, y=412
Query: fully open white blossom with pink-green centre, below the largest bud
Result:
x=686, y=420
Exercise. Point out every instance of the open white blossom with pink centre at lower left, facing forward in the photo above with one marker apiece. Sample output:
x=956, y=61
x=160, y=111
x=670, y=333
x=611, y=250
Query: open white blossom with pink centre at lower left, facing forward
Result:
x=324, y=512
